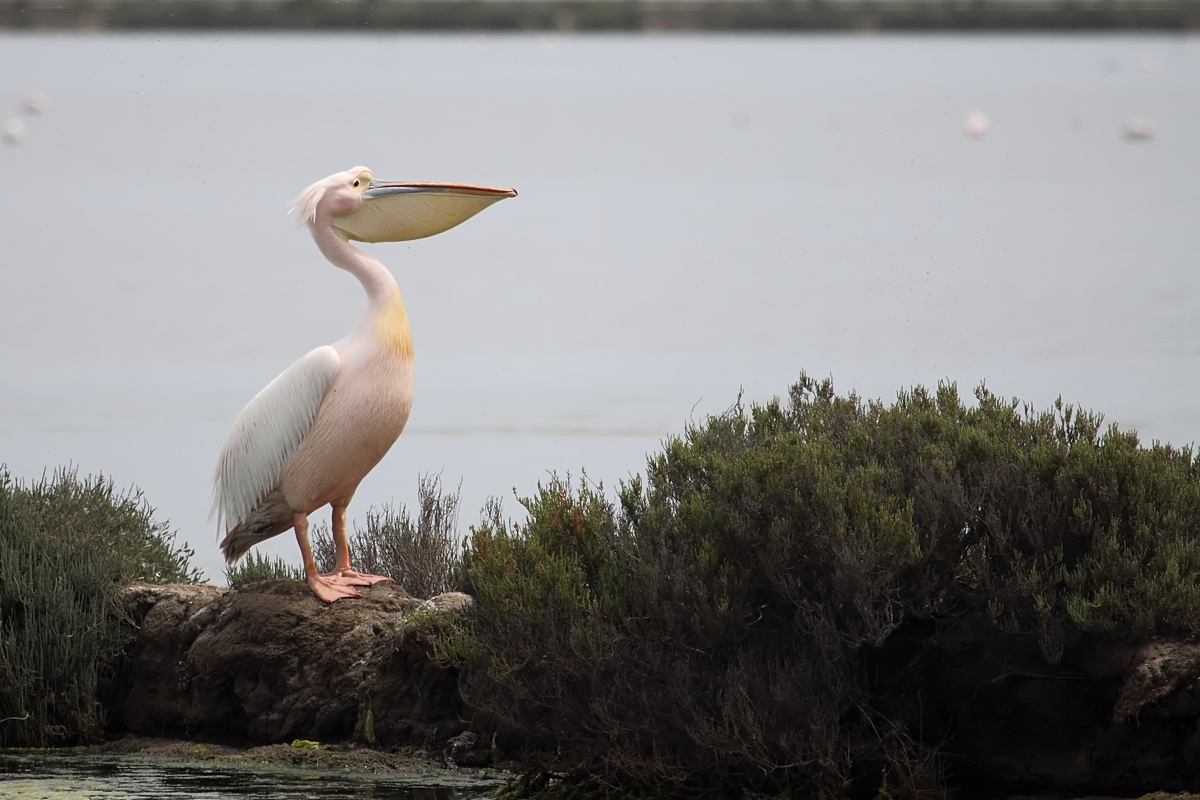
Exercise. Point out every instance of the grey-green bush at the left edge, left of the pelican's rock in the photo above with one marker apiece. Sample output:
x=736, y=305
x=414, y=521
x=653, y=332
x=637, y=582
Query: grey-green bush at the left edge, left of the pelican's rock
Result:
x=64, y=545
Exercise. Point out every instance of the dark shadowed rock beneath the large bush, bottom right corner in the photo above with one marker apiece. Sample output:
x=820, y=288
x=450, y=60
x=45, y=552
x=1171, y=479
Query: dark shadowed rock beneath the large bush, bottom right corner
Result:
x=1107, y=719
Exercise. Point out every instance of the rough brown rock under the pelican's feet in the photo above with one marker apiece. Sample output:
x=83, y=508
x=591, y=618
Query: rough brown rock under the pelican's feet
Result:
x=272, y=664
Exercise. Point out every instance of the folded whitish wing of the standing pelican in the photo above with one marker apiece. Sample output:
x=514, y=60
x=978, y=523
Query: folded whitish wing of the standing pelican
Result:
x=268, y=432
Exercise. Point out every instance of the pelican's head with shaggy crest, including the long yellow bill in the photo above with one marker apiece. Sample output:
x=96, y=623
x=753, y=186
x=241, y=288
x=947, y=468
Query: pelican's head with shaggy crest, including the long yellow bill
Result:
x=363, y=209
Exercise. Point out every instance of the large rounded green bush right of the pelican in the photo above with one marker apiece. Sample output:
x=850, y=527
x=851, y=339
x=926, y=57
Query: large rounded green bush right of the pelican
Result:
x=715, y=629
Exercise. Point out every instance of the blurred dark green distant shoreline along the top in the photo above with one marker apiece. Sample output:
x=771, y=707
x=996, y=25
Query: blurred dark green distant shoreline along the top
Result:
x=716, y=16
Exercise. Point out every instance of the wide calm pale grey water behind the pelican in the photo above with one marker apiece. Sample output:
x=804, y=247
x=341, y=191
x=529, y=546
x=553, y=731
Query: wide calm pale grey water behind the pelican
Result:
x=698, y=215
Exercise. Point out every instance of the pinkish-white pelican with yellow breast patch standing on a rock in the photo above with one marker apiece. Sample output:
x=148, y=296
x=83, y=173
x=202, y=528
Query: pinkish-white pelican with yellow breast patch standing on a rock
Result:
x=314, y=434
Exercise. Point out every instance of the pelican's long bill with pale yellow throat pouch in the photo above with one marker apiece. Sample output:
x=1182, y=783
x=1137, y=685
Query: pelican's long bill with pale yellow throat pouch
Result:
x=400, y=212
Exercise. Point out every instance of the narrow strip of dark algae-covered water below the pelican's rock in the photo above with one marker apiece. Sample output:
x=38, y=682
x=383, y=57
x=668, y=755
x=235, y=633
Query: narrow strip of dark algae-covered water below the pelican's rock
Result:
x=67, y=777
